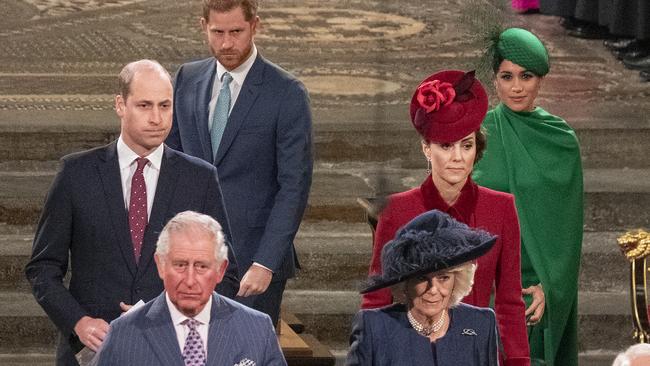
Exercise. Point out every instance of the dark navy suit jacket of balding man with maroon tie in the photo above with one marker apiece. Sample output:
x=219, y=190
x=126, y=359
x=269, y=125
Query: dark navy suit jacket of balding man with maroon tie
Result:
x=84, y=221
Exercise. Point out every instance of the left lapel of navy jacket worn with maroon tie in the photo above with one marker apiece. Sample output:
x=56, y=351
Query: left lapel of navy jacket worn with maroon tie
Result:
x=109, y=171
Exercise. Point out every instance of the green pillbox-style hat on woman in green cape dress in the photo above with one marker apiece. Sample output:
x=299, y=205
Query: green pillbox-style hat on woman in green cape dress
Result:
x=524, y=49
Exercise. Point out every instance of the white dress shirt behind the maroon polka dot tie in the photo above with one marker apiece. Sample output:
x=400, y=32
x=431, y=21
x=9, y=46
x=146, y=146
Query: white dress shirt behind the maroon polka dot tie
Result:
x=151, y=171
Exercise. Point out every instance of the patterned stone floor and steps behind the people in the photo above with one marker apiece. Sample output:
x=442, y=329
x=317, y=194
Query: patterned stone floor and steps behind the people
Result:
x=360, y=60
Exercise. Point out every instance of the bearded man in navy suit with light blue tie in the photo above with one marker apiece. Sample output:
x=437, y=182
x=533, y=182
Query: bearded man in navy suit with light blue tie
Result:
x=251, y=119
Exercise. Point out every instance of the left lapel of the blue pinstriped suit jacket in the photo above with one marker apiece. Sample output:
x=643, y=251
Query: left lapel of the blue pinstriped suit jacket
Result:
x=160, y=333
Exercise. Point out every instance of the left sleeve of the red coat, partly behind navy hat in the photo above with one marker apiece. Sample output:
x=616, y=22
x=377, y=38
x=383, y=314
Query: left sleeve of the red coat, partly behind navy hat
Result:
x=385, y=232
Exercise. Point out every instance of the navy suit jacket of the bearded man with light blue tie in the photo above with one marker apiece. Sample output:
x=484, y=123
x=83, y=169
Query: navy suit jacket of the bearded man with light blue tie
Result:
x=264, y=160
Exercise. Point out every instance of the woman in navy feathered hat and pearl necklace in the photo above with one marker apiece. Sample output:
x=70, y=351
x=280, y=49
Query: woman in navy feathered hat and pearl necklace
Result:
x=430, y=266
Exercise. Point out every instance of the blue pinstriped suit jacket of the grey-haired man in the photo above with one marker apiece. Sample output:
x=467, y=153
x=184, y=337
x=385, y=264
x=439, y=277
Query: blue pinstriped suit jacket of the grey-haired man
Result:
x=236, y=333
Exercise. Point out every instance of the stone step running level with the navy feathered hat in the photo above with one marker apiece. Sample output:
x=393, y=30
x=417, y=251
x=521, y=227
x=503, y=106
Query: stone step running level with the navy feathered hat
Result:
x=335, y=256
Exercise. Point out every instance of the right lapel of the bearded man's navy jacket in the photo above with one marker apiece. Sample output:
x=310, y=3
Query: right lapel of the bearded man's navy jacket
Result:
x=247, y=96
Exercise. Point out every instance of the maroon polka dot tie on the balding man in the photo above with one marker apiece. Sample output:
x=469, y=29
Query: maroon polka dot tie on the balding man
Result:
x=138, y=207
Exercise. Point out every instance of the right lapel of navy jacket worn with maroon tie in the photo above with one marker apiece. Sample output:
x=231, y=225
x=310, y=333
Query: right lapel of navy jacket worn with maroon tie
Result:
x=161, y=201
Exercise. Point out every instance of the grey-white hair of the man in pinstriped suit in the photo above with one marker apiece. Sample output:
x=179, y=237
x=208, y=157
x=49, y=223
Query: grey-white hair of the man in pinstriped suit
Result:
x=193, y=221
